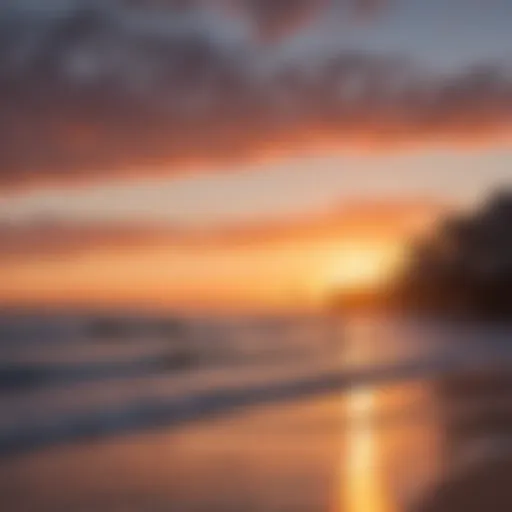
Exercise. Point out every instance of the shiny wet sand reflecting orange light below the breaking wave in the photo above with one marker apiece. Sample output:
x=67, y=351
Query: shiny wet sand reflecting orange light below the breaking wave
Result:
x=330, y=454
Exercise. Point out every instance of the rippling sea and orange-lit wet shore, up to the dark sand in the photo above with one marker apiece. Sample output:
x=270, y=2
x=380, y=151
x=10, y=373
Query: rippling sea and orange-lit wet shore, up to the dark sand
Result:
x=284, y=414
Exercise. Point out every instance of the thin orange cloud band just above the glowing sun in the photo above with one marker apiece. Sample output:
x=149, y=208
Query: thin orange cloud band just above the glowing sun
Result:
x=46, y=239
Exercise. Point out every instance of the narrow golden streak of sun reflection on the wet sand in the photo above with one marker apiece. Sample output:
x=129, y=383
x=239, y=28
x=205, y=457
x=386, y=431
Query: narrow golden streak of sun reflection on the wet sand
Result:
x=362, y=487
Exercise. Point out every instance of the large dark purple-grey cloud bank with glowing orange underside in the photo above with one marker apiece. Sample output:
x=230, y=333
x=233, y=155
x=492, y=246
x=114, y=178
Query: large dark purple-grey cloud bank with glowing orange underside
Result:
x=93, y=90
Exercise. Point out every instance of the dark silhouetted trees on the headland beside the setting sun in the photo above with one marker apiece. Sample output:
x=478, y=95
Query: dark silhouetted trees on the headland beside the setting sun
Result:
x=462, y=269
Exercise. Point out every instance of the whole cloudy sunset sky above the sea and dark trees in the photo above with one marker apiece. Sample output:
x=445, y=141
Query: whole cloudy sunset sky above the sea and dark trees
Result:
x=239, y=154
